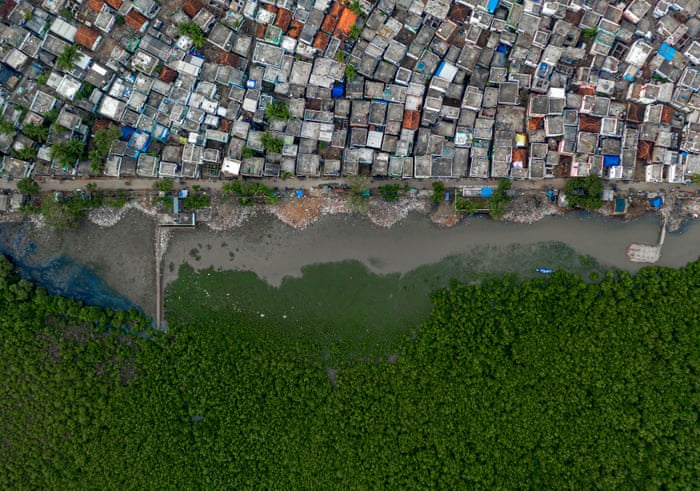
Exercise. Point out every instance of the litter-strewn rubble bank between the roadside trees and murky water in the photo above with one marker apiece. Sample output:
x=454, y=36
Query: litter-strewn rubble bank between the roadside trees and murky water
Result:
x=525, y=208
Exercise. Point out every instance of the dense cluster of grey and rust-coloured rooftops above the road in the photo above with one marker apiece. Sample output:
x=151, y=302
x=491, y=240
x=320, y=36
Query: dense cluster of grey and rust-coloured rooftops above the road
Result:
x=397, y=88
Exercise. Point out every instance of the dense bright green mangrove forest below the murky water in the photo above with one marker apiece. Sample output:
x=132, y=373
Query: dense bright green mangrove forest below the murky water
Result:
x=546, y=383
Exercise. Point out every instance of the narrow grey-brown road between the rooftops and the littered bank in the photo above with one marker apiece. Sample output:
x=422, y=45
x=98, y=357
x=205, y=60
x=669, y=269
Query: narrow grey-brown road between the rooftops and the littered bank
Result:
x=140, y=184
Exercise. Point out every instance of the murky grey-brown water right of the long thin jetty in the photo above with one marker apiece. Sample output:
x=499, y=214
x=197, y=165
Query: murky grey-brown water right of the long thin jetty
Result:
x=273, y=250
